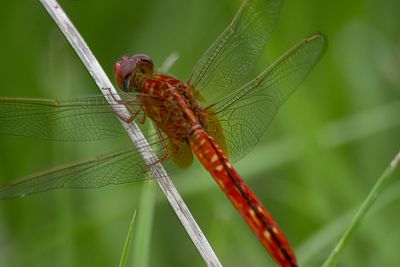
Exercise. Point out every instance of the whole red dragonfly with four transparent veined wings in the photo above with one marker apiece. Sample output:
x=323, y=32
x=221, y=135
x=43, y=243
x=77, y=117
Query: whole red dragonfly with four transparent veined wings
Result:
x=215, y=116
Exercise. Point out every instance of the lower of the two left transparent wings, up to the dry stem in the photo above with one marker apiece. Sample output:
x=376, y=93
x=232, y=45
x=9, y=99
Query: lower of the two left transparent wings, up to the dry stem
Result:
x=124, y=166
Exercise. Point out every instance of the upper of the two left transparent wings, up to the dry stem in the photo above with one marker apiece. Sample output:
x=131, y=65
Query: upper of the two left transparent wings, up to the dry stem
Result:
x=82, y=119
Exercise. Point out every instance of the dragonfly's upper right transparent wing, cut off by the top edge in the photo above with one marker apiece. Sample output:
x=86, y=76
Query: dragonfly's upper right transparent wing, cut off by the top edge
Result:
x=234, y=53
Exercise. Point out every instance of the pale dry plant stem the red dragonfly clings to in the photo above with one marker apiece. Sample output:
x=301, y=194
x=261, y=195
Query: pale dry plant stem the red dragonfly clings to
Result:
x=133, y=131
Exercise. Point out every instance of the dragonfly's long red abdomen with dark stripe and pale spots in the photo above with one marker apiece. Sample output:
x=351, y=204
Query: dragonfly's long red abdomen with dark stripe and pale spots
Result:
x=244, y=200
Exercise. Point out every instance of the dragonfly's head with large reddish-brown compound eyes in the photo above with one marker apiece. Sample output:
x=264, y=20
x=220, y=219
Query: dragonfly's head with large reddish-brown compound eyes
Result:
x=131, y=72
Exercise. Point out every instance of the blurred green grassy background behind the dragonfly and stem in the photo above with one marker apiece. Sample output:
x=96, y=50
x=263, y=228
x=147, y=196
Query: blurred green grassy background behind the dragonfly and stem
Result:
x=320, y=158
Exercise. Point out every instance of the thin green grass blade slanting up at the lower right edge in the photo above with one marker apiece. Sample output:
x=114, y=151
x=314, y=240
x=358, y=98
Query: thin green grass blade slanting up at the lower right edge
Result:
x=369, y=201
